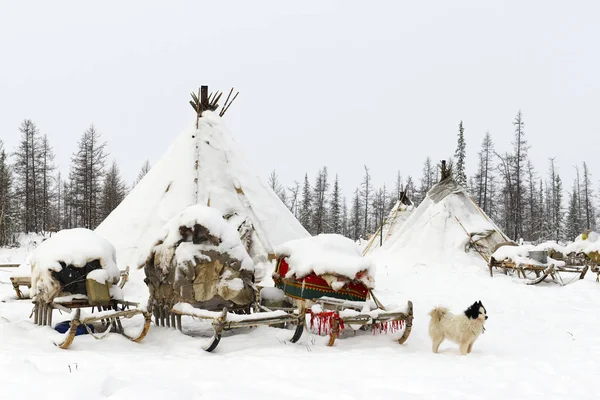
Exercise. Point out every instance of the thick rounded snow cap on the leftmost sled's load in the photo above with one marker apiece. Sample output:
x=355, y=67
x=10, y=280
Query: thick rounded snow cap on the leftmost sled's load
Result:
x=74, y=247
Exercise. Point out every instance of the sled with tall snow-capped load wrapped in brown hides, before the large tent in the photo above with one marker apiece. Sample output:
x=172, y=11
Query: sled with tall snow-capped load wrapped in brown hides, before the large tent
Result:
x=200, y=268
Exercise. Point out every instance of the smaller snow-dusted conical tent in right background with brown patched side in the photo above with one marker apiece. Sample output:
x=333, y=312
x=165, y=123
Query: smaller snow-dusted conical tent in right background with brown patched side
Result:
x=447, y=227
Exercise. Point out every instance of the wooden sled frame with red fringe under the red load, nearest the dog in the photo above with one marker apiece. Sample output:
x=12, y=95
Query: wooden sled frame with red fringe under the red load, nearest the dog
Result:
x=378, y=317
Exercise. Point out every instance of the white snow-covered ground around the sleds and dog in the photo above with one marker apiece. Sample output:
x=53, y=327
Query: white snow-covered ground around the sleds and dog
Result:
x=541, y=342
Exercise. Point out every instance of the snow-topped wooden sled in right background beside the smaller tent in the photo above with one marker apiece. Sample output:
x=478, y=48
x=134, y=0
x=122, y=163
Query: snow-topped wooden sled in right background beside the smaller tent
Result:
x=535, y=263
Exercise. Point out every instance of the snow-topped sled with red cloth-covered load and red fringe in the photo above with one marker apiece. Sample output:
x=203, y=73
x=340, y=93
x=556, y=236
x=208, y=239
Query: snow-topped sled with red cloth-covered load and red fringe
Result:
x=331, y=282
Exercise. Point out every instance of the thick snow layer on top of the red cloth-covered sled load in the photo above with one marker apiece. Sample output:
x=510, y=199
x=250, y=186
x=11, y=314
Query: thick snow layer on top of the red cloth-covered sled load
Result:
x=325, y=254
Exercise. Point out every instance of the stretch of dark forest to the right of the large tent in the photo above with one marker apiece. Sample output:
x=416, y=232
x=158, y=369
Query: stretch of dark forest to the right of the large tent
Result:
x=523, y=202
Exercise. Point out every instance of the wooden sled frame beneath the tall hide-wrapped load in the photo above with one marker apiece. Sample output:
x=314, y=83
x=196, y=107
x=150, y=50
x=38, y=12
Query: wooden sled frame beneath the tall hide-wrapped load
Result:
x=227, y=320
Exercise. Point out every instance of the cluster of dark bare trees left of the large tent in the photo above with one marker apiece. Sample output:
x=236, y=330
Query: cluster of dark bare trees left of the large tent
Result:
x=36, y=197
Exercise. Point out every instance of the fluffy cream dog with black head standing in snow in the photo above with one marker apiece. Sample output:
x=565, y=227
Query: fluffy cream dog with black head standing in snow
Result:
x=462, y=329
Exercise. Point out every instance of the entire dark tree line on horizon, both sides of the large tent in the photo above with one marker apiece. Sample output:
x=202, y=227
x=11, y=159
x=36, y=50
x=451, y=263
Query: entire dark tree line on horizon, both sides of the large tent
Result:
x=35, y=197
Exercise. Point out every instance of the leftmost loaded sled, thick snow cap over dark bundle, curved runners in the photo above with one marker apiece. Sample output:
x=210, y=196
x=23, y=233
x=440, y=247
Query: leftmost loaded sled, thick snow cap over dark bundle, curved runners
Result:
x=73, y=270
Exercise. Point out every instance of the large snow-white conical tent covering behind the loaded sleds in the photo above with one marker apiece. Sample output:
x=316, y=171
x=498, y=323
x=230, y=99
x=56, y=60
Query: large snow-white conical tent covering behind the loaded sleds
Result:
x=203, y=166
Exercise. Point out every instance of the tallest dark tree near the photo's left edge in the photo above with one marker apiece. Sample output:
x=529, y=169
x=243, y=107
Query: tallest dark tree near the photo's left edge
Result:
x=28, y=177
